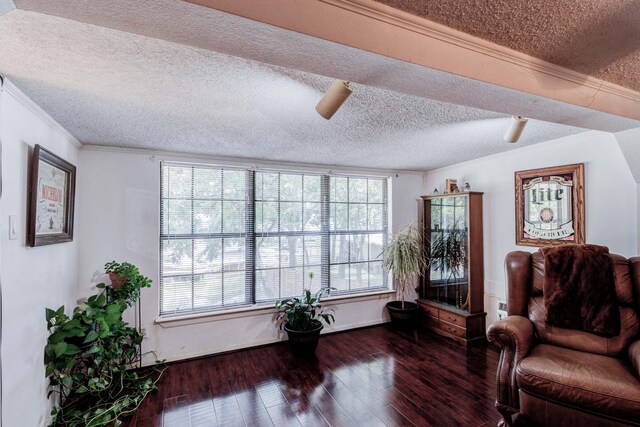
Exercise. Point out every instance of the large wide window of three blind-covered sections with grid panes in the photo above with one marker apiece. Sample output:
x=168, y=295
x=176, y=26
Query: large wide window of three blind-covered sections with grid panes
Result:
x=235, y=237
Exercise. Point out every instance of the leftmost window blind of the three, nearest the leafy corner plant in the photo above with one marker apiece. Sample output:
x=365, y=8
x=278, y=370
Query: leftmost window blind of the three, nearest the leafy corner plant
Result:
x=206, y=239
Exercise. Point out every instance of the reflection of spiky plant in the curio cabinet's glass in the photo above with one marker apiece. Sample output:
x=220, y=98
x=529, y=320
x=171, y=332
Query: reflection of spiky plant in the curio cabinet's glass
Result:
x=449, y=255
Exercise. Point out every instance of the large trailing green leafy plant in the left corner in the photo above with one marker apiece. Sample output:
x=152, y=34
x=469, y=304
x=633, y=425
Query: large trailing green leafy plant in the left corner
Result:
x=89, y=356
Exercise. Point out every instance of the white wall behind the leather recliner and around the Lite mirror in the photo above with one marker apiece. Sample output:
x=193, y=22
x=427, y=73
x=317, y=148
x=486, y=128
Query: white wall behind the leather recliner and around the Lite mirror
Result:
x=610, y=193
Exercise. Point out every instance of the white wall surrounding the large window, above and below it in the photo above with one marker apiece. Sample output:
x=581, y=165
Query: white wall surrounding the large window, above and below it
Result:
x=118, y=195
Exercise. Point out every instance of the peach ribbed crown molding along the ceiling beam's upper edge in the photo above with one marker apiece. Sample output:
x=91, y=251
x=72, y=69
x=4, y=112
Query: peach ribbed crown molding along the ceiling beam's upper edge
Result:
x=423, y=26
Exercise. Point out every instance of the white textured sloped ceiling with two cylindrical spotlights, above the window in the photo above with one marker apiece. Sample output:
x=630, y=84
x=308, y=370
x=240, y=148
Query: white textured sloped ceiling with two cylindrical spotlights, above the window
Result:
x=110, y=87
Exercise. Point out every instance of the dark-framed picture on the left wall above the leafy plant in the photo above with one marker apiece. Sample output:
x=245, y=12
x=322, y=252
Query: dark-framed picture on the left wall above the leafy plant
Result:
x=51, y=199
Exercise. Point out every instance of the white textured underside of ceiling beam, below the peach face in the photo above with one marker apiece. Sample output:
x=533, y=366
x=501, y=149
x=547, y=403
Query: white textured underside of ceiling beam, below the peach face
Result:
x=202, y=27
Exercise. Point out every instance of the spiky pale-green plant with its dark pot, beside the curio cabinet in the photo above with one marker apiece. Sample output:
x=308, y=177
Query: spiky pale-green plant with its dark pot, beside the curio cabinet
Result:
x=405, y=256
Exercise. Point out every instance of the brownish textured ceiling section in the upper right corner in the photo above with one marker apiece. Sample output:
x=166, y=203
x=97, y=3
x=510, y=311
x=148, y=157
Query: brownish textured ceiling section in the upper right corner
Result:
x=595, y=37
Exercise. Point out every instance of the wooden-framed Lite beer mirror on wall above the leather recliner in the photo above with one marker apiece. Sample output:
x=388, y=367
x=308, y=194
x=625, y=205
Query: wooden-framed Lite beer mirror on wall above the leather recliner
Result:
x=550, y=206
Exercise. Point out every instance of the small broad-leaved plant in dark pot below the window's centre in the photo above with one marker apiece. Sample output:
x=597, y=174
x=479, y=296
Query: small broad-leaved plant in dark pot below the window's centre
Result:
x=301, y=317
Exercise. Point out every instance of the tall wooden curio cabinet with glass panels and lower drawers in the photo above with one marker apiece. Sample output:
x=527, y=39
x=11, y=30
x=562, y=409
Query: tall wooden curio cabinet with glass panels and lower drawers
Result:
x=452, y=291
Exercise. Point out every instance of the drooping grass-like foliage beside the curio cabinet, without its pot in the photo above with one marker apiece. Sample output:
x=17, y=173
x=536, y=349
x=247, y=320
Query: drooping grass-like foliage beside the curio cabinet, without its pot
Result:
x=405, y=256
